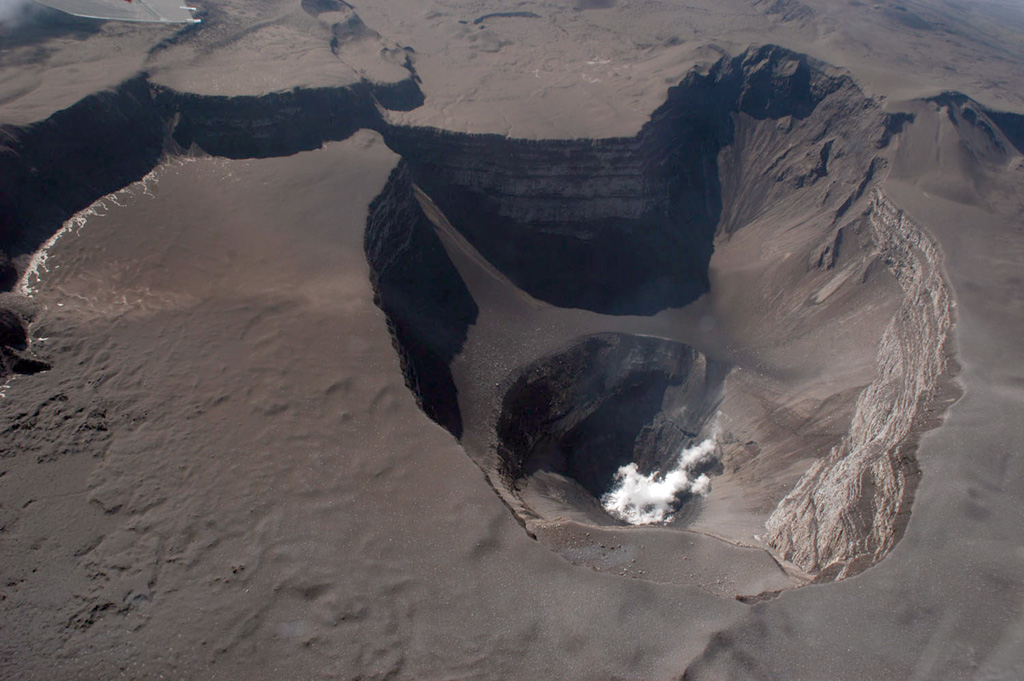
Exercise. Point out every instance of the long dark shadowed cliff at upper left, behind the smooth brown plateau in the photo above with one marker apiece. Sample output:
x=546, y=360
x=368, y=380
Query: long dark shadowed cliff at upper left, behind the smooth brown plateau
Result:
x=57, y=167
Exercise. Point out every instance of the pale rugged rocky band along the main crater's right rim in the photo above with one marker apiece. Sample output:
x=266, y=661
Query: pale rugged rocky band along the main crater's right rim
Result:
x=850, y=507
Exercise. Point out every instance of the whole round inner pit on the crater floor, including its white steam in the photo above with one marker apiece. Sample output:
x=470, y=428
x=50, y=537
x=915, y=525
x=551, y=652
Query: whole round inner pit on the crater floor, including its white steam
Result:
x=616, y=430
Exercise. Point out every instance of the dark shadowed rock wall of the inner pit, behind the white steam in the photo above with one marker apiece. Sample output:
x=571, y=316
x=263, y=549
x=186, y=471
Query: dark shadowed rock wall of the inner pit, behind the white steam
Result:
x=607, y=402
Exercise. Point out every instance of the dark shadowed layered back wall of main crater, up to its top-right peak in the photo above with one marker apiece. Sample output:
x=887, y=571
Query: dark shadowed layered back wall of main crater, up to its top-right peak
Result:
x=622, y=226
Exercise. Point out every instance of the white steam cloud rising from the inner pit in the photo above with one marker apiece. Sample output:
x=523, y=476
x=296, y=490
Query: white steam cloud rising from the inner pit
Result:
x=644, y=500
